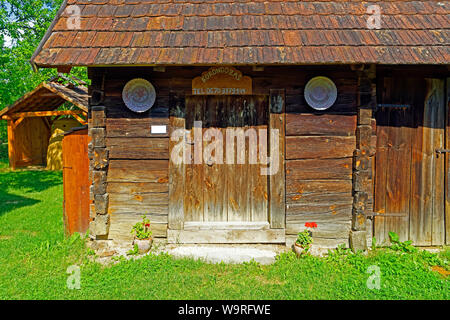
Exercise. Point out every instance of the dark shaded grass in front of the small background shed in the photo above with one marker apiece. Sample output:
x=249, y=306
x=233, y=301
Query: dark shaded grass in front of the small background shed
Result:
x=15, y=185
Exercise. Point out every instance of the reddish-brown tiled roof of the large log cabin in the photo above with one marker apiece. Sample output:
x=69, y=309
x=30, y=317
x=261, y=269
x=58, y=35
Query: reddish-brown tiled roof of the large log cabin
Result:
x=208, y=32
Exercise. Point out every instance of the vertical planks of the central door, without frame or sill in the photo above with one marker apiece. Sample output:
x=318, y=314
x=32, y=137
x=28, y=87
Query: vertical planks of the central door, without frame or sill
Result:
x=229, y=191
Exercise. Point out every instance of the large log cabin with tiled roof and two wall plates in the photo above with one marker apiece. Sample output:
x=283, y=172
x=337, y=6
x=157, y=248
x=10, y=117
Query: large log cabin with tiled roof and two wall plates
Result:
x=357, y=95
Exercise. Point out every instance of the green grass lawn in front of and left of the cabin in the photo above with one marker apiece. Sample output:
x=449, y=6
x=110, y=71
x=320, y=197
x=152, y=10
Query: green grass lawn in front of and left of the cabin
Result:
x=34, y=257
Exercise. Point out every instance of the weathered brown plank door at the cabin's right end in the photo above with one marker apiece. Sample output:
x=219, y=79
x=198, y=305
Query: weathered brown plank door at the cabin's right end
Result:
x=410, y=170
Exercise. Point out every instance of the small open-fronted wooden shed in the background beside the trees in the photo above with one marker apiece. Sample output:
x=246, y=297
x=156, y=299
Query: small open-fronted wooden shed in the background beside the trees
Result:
x=30, y=119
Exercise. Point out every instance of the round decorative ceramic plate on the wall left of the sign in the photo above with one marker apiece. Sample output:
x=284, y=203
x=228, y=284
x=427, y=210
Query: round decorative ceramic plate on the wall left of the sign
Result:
x=139, y=95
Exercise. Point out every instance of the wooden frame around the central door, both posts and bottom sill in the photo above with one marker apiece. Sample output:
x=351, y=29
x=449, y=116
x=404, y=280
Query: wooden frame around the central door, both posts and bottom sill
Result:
x=272, y=232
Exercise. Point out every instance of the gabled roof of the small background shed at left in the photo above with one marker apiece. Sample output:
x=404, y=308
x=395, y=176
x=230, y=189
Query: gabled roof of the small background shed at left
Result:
x=49, y=96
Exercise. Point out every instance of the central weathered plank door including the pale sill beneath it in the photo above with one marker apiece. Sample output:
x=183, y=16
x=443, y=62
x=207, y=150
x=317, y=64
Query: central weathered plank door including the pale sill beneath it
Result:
x=225, y=196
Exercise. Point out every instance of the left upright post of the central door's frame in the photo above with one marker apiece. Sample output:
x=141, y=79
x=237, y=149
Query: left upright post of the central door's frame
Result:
x=176, y=171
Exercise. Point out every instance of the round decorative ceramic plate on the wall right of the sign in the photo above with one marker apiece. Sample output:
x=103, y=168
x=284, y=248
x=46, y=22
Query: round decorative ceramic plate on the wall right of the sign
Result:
x=321, y=93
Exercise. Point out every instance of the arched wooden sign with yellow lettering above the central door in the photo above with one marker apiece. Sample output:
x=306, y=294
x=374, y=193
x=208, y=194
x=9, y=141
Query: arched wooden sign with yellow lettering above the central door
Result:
x=222, y=81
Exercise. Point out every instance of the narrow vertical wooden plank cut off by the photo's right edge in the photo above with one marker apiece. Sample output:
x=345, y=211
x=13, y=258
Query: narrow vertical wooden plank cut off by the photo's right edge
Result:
x=447, y=162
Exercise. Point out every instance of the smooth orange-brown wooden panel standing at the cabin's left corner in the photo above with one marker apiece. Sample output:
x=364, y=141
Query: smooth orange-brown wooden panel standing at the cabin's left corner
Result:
x=76, y=182
